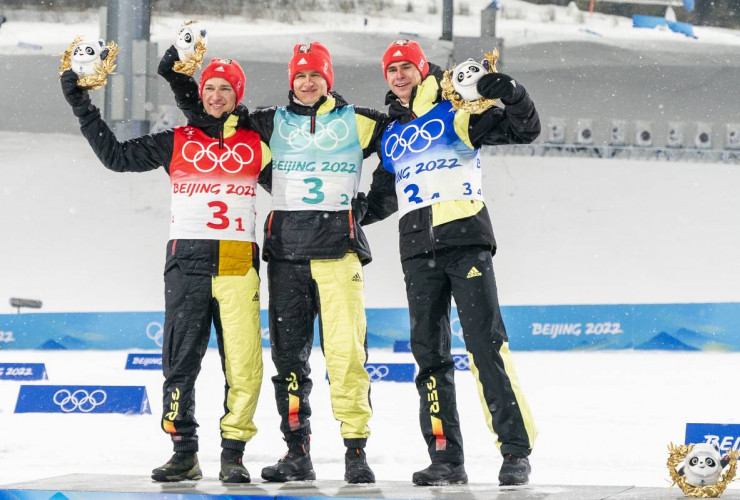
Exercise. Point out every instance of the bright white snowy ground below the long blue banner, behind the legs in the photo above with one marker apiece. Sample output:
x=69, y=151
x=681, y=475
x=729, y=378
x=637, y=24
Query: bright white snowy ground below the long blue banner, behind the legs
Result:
x=603, y=418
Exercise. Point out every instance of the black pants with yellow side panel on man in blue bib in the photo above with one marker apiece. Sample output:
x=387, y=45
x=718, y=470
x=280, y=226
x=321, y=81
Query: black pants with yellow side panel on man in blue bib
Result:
x=465, y=273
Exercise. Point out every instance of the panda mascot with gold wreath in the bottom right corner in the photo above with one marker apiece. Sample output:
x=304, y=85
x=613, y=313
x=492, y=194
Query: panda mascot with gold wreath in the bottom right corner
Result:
x=700, y=470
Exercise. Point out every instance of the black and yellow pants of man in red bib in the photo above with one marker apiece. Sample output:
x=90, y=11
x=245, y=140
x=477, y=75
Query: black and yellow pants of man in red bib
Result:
x=192, y=302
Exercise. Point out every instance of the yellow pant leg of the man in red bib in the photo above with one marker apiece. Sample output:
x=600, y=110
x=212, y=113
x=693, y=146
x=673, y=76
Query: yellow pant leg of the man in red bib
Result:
x=238, y=299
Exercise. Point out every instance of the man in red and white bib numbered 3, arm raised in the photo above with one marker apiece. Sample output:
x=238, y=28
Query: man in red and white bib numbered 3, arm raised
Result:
x=211, y=273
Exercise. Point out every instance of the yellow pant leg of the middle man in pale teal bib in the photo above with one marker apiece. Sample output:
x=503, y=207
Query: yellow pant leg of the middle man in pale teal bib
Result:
x=342, y=302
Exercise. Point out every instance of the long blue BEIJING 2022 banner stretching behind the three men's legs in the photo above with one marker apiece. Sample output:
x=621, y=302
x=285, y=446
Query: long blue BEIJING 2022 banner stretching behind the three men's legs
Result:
x=687, y=327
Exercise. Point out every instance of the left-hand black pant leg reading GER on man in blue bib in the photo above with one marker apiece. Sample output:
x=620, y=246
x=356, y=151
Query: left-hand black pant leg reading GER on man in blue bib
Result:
x=428, y=292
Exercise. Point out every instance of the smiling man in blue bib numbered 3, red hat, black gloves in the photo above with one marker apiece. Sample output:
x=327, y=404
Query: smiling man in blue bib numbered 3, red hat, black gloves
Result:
x=431, y=175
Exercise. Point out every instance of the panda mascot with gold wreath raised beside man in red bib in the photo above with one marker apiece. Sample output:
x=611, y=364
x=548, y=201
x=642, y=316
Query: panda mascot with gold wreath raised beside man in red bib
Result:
x=92, y=61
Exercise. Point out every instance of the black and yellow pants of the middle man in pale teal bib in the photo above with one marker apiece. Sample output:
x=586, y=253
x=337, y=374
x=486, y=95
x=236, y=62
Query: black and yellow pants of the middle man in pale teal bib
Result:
x=333, y=289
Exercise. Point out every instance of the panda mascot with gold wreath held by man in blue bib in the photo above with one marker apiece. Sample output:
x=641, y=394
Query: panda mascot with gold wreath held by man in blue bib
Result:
x=459, y=85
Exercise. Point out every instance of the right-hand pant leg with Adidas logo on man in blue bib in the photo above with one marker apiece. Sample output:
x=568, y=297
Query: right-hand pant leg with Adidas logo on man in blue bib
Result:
x=474, y=289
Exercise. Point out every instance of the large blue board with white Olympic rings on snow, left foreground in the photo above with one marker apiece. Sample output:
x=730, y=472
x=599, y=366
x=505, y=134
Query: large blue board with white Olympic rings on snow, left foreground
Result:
x=82, y=399
